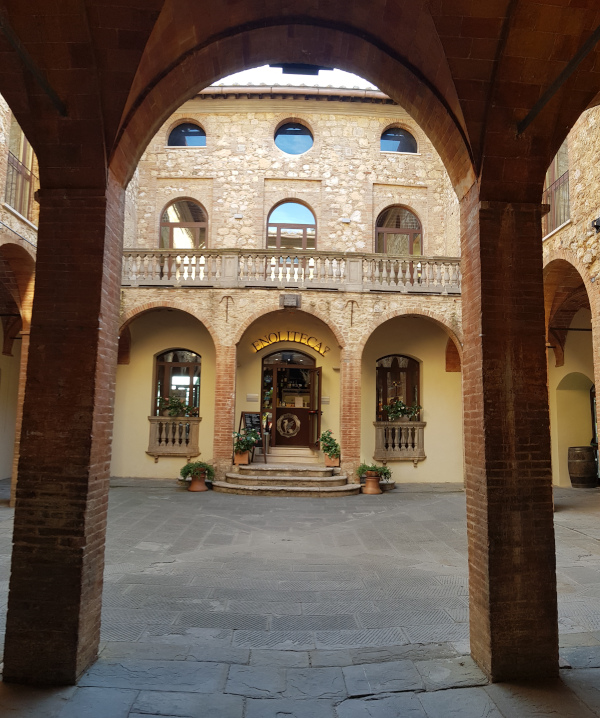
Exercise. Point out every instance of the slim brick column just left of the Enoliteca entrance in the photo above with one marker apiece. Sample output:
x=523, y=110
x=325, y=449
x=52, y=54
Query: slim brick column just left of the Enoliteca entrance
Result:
x=226, y=358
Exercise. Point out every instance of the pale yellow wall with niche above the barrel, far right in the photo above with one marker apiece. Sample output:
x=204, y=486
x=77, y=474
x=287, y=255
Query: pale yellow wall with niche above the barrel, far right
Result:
x=569, y=396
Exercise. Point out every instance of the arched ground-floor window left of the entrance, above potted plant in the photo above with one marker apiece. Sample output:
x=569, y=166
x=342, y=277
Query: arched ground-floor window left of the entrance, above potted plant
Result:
x=178, y=375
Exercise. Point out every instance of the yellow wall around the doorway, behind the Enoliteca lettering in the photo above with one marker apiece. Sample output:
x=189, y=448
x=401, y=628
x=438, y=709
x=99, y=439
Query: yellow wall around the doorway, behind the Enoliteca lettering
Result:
x=249, y=362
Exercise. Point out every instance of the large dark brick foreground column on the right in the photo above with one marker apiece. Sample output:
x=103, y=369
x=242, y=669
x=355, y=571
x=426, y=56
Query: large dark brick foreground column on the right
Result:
x=512, y=579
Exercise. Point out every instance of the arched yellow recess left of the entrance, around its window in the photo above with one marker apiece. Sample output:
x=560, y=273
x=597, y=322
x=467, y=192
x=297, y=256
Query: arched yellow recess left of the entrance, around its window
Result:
x=153, y=331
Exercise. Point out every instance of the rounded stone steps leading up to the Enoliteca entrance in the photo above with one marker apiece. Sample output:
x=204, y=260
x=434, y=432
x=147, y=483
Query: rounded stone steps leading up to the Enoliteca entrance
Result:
x=286, y=479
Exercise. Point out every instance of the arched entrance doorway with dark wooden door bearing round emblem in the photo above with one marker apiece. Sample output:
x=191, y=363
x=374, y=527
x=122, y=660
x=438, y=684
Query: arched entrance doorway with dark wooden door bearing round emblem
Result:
x=291, y=397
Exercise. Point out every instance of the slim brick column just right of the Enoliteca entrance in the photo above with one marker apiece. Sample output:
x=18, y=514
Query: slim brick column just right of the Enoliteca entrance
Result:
x=350, y=411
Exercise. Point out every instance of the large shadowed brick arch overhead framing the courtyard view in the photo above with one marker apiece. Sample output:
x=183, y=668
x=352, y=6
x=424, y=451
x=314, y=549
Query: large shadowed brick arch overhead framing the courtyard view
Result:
x=314, y=41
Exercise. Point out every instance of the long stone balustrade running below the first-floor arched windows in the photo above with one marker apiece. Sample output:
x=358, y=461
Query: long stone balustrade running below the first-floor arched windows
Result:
x=315, y=270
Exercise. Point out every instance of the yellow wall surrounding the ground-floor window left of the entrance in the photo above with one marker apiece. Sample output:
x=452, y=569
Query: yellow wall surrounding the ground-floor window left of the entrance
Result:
x=151, y=334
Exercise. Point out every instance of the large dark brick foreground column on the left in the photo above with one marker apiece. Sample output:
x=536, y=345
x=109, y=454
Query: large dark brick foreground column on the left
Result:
x=54, y=603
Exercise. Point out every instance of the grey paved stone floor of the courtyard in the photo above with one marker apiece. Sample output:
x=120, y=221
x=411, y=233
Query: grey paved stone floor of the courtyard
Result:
x=241, y=607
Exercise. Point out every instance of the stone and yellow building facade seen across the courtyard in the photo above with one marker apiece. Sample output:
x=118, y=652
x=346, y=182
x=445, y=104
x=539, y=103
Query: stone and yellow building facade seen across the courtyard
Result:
x=361, y=304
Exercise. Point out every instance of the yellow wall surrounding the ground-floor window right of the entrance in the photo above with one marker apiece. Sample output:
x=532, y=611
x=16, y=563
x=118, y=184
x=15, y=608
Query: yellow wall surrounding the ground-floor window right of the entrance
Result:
x=440, y=397
